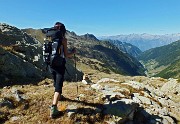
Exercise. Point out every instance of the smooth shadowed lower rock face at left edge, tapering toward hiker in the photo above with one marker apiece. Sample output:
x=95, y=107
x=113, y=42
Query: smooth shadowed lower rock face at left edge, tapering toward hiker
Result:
x=13, y=67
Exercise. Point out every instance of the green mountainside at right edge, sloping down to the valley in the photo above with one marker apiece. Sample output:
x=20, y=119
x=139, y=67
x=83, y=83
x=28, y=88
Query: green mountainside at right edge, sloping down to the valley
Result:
x=163, y=61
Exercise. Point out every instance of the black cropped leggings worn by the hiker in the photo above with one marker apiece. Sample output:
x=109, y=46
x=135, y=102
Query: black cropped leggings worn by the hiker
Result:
x=58, y=76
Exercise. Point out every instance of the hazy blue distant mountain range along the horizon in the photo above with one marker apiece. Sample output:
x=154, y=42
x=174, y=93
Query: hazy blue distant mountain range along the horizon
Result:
x=144, y=41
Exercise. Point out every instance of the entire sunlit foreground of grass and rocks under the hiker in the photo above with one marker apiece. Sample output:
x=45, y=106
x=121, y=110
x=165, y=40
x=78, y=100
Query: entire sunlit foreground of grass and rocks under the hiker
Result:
x=123, y=100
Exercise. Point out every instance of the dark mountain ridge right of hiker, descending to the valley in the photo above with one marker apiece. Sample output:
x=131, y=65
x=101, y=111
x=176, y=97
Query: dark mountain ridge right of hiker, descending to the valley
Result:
x=104, y=51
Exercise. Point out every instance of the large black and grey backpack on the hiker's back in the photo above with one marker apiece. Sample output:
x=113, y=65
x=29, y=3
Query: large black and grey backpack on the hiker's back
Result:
x=52, y=43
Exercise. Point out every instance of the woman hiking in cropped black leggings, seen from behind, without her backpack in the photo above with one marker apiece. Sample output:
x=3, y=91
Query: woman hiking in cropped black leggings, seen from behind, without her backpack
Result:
x=58, y=73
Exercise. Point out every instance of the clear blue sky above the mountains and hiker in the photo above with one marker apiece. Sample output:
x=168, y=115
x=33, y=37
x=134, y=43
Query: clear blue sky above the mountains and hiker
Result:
x=98, y=17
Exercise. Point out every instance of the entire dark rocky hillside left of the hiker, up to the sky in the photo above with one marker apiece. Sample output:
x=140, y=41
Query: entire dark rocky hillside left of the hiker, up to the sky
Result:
x=21, y=58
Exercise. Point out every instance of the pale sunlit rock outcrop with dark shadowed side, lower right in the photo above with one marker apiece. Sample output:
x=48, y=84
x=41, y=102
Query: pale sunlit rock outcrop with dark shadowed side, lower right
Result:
x=137, y=102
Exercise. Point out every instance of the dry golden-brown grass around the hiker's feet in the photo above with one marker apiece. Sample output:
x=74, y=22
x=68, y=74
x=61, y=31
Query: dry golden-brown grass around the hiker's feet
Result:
x=39, y=99
